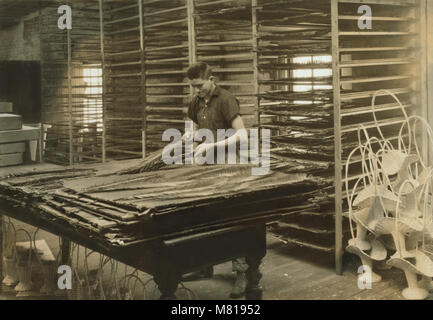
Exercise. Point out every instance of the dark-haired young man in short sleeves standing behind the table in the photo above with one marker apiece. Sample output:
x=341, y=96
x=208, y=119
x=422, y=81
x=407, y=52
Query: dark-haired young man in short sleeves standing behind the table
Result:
x=215, y=108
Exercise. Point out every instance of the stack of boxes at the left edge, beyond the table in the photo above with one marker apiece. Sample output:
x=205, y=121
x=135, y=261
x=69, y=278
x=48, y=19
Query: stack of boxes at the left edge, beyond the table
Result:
x=13, y=136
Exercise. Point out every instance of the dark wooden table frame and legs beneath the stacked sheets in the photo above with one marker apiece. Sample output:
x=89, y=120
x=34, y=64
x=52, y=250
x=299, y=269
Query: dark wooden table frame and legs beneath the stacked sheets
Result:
x=166, y=259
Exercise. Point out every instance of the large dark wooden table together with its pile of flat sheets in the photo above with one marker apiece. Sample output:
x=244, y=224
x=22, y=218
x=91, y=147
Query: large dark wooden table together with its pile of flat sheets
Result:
x=167, y=222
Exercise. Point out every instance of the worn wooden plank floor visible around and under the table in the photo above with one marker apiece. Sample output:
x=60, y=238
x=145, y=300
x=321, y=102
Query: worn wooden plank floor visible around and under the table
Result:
x=289, y=273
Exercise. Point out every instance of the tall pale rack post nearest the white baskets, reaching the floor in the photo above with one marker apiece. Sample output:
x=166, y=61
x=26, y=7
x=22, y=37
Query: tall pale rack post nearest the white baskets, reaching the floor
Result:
x=337, y=138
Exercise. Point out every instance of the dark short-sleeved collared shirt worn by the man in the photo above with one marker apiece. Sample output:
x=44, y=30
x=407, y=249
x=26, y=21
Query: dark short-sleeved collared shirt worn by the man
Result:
x=219, y=113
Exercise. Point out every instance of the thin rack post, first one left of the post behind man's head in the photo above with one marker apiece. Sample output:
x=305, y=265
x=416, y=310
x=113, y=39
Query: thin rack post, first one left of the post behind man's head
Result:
x=143, y=79
